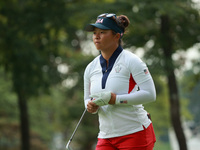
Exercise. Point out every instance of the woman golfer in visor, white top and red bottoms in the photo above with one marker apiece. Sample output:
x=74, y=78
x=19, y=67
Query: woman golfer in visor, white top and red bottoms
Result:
x=116, y=84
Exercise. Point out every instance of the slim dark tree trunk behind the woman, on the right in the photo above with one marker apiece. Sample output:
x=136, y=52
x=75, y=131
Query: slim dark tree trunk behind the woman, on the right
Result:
x=167, y=46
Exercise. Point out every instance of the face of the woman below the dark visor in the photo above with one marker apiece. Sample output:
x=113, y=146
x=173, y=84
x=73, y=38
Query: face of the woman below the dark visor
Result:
x=104, y=39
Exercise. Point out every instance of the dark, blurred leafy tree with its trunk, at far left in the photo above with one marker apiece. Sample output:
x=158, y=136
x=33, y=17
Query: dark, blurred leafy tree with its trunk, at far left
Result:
x=29, y=43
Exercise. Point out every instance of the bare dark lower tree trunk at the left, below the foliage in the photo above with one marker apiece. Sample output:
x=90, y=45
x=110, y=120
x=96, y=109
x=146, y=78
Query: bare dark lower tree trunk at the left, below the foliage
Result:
x=24, y=121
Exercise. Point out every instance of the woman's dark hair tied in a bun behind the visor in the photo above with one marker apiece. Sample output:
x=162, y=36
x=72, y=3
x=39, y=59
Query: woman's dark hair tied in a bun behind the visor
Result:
x=123, y=22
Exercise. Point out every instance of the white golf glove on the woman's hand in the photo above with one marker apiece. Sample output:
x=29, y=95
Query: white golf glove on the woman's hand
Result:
x=101, y=99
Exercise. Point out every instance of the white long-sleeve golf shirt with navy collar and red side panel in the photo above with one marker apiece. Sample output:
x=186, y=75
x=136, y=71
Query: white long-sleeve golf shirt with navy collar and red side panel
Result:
x=128, y=77
